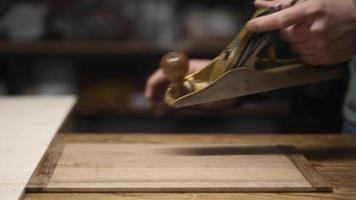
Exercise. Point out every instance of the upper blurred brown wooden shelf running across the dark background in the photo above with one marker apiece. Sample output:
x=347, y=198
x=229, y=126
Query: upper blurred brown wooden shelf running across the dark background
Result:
x=191, y=47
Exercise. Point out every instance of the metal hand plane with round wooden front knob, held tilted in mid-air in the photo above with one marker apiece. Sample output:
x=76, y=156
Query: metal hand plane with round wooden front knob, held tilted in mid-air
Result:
x=239, y=70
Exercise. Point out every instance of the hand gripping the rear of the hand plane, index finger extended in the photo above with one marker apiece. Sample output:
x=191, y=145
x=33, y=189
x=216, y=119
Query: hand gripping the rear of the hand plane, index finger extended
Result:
x=322, y=32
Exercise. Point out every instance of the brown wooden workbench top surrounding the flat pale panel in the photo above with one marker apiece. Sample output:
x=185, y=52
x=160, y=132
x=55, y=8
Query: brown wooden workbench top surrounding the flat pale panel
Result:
x=334, y=156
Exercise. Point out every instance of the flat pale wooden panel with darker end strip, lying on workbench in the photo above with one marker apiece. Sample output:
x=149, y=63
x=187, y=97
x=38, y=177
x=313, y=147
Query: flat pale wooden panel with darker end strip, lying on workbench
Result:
x=182, y=168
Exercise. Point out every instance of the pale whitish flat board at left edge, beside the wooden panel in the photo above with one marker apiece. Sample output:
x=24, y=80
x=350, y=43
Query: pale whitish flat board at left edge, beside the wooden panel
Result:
x=27, y=126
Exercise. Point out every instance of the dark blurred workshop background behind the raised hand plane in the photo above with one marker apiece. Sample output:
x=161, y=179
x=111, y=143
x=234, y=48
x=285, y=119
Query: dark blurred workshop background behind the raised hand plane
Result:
x=104, y=50
